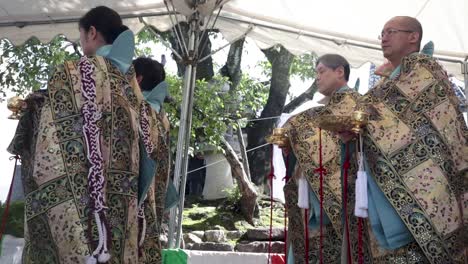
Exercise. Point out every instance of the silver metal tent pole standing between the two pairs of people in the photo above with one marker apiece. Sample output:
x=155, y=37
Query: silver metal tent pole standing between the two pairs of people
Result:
x=183, y=140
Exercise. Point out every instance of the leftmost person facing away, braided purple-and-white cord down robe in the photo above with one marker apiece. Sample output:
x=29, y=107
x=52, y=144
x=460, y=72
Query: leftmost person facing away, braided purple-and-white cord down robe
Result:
x=81, y=181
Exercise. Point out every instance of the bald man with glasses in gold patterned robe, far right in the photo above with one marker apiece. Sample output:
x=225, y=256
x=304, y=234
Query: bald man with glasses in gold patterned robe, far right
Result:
x=416, y=157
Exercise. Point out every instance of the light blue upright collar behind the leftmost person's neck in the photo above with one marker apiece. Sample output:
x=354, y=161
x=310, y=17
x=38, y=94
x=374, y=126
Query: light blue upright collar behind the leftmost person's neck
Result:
x=121, y=52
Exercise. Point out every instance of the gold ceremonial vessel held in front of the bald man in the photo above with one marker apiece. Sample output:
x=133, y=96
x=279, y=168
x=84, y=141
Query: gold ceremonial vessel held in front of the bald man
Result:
x=353, y=122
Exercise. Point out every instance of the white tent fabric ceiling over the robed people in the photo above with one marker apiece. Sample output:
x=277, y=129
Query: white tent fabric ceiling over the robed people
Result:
x=347, y=27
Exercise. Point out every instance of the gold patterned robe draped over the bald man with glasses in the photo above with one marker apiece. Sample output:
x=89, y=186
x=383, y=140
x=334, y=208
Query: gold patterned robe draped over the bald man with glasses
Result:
x=416, y=148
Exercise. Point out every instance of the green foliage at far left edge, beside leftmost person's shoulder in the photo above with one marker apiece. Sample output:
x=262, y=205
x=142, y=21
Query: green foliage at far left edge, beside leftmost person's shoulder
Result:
x=27, y=67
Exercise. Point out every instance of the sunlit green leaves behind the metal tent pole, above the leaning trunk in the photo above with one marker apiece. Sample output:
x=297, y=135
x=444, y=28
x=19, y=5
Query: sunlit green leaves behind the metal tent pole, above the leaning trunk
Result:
x=214, y=110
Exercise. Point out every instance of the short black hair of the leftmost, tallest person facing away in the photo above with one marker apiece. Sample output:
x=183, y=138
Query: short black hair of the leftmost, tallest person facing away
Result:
x=105, y=20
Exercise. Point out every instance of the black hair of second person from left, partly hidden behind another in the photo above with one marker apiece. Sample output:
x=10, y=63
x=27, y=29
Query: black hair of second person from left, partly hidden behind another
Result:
x=151, y=70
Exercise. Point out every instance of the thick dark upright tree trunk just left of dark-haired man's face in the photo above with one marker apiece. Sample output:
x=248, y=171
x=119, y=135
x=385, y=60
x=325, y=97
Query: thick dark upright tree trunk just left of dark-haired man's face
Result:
x=281, y=61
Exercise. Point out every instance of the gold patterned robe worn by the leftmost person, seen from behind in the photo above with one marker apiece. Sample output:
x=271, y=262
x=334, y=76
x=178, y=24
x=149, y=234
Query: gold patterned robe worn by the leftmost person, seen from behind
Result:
x=50, y=141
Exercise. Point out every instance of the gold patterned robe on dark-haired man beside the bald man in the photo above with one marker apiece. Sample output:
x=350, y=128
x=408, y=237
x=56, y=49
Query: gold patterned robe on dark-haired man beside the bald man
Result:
x=304, y=137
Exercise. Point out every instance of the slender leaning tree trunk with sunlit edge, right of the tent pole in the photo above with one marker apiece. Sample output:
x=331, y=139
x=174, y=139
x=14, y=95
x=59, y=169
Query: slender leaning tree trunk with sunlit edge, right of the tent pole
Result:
x=248, y=194
